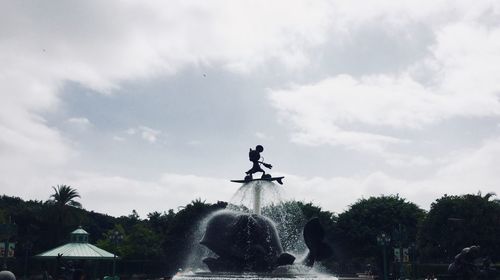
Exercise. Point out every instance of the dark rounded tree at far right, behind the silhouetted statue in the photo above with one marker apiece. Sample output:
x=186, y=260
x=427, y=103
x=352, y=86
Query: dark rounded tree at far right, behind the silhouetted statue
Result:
x=455, y=222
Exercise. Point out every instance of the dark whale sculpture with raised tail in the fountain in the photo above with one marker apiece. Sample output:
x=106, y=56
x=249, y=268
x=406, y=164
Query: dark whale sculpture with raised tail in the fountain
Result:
x=250, y=242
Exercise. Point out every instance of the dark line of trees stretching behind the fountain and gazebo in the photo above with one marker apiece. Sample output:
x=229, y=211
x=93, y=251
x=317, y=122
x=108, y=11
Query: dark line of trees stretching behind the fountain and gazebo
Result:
x=435, y=236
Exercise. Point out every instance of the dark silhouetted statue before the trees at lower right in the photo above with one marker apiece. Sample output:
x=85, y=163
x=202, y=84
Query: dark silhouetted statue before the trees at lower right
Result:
x=463, y=267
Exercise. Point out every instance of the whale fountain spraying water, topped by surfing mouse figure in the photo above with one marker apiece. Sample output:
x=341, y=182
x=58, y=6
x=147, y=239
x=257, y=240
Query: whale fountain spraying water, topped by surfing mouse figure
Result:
x=244, y=242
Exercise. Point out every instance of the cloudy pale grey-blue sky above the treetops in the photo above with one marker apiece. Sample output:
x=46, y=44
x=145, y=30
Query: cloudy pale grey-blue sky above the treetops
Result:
x=148, y=105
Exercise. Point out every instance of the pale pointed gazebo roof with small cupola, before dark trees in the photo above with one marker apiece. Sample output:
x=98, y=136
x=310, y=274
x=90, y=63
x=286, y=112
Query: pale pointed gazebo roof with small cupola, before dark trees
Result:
x=78, y=248
